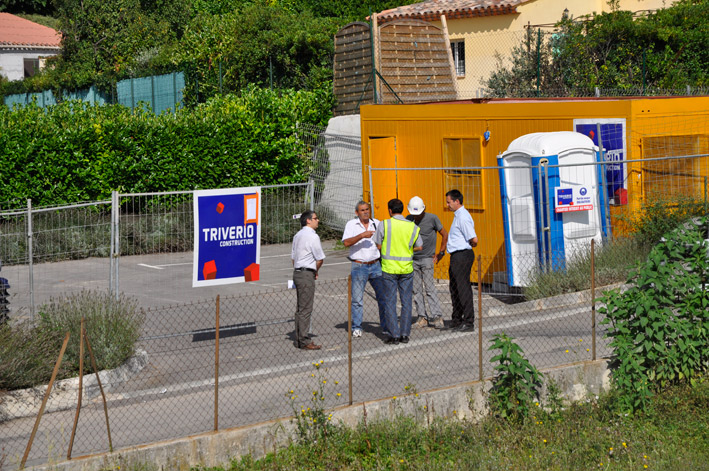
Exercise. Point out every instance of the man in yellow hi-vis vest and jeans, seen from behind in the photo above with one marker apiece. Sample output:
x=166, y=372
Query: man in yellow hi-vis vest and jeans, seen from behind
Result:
x=397, y=240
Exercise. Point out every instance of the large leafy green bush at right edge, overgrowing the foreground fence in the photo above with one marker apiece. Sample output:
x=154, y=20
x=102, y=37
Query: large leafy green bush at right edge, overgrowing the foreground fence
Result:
x=659, y=327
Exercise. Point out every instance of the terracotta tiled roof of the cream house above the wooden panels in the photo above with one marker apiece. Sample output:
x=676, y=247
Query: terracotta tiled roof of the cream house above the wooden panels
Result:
x=431, y=10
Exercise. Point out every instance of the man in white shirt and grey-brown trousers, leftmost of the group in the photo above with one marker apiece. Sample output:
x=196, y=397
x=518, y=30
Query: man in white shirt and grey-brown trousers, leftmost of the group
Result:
x=307, y=256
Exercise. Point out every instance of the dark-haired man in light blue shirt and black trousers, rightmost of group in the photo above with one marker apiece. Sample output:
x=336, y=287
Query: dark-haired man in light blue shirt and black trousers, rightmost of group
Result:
x=461, y=240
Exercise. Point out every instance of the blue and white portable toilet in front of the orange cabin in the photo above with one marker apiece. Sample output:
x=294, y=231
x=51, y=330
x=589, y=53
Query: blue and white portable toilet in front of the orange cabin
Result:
x=551, y=203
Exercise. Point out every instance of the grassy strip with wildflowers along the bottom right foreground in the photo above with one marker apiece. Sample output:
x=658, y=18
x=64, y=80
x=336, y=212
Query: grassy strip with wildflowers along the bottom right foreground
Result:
x=672, y=435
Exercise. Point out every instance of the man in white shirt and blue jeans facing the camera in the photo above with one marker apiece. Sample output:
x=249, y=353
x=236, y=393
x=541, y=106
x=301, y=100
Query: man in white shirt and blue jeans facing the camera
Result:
x=364, y=256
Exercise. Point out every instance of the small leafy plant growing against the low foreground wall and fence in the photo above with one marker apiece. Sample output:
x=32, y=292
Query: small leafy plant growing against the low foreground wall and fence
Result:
x=516, y=386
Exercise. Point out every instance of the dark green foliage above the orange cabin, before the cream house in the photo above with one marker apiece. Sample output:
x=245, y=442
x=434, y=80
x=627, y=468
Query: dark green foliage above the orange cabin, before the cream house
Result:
x=666, y=49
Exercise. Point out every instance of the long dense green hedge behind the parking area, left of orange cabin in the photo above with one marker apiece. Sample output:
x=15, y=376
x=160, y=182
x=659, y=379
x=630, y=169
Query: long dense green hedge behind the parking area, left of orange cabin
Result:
x=78, y=152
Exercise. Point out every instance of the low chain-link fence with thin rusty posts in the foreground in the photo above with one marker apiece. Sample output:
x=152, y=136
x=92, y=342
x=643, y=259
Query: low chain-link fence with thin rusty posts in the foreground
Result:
x=171, y=387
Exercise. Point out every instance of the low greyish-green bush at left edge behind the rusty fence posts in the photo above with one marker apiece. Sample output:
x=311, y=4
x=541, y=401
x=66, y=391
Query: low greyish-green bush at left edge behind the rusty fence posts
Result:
x=28, y=352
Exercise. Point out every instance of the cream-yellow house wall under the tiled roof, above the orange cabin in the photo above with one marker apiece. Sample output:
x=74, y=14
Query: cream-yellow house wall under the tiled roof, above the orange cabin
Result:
x=485, y=37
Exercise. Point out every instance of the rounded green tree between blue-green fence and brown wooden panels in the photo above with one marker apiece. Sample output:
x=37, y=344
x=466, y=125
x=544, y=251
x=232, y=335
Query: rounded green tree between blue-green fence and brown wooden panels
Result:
x=259, y=44
